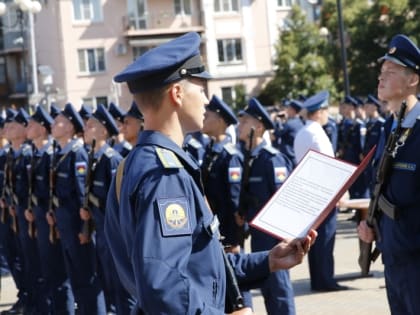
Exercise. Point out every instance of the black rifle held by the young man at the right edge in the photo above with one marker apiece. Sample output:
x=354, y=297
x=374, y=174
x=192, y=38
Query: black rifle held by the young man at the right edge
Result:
x=384, y=170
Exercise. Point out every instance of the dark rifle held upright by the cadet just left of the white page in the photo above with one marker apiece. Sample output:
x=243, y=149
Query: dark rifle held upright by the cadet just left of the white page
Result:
x=244, y=193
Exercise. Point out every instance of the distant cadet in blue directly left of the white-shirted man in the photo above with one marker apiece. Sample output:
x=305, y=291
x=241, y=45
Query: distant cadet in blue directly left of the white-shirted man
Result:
x=288, y=130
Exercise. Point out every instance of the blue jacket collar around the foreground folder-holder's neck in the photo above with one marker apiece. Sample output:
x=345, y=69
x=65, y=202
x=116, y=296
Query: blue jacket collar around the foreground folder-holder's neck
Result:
x=149, y=137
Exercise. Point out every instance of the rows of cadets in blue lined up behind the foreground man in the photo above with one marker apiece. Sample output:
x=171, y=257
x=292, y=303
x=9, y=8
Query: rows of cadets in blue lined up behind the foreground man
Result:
x=56, y=168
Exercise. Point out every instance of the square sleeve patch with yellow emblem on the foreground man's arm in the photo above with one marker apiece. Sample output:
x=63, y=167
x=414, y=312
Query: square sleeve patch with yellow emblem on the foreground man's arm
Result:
x=174, y=216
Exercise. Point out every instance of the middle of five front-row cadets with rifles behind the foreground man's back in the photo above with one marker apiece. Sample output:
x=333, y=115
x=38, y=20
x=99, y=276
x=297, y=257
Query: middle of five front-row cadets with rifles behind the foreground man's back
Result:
x=80, y=259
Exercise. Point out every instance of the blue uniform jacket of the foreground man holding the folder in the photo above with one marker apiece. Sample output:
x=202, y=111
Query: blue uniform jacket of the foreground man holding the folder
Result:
x=161, y=236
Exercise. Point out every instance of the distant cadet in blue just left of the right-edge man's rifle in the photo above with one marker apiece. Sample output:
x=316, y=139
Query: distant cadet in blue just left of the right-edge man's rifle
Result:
x=374, y=126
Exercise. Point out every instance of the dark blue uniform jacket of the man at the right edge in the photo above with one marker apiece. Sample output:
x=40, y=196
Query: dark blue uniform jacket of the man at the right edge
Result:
x=401, y=237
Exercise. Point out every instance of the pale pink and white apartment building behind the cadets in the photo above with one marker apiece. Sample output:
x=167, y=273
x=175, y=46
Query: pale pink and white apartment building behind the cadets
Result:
x=81, y=44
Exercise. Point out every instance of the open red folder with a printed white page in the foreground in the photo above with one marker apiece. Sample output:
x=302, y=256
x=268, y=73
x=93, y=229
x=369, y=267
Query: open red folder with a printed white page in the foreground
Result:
x=308, y=195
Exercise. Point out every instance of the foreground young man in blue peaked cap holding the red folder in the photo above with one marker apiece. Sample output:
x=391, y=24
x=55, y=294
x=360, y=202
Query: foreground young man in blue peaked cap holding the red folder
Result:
x=163, y=235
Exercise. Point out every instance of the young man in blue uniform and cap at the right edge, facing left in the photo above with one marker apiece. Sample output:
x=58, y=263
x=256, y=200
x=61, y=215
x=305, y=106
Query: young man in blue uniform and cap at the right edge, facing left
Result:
x=399, y=226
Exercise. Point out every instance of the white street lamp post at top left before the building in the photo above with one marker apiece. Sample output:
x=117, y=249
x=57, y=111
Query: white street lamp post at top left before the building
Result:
x=30, y=7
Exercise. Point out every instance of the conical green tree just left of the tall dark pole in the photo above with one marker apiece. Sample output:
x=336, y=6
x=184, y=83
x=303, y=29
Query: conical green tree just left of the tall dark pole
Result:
x=302, y=62
